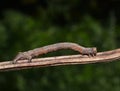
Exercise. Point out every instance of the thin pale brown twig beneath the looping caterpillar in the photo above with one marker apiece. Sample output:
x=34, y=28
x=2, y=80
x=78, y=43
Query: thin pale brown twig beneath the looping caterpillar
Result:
x=61, y=60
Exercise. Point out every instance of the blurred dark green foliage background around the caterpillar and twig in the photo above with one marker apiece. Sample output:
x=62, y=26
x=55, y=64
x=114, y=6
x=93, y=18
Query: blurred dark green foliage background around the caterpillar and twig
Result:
x=27, y=24
